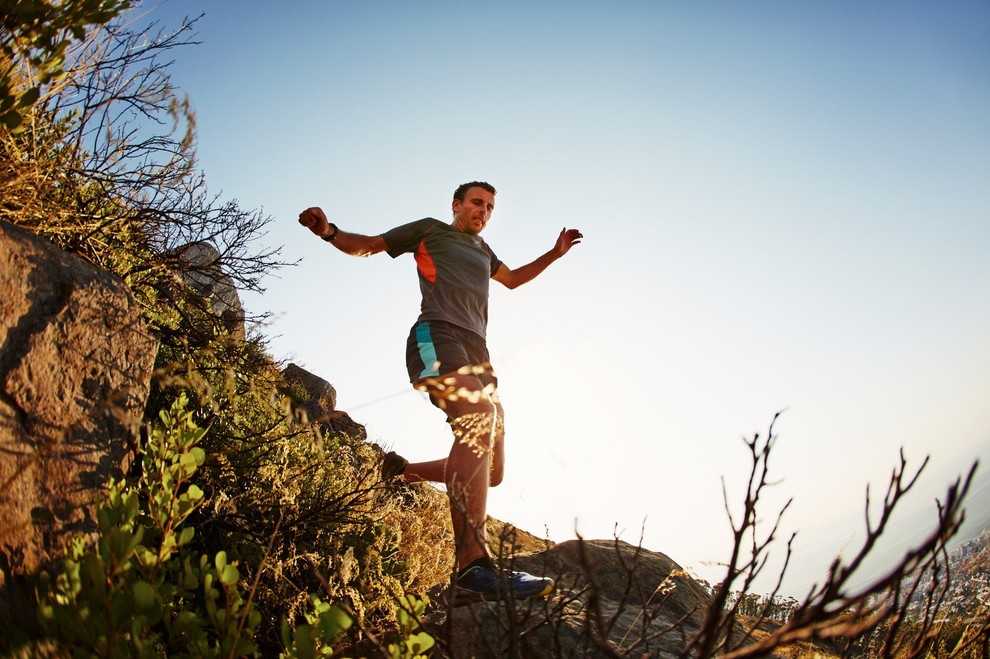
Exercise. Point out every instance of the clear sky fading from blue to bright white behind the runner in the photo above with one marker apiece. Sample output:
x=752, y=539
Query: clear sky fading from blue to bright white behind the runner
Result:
x=786, y=205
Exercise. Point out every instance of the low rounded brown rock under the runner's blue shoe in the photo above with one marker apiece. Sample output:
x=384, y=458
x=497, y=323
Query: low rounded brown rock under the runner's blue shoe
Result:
x=636, y=602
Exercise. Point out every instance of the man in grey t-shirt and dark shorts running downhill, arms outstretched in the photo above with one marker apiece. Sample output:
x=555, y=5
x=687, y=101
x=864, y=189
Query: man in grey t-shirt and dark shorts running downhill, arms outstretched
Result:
x=447, y=358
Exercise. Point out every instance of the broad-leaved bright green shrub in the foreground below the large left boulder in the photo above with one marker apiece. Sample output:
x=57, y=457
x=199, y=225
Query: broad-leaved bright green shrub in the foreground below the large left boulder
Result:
x=139, y=591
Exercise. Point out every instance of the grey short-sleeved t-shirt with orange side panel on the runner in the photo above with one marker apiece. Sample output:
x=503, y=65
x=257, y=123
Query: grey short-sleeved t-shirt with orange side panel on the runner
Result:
x=454, y=270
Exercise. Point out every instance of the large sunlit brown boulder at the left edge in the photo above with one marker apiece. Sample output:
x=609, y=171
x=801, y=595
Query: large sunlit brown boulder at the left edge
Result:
x=75, y=366
